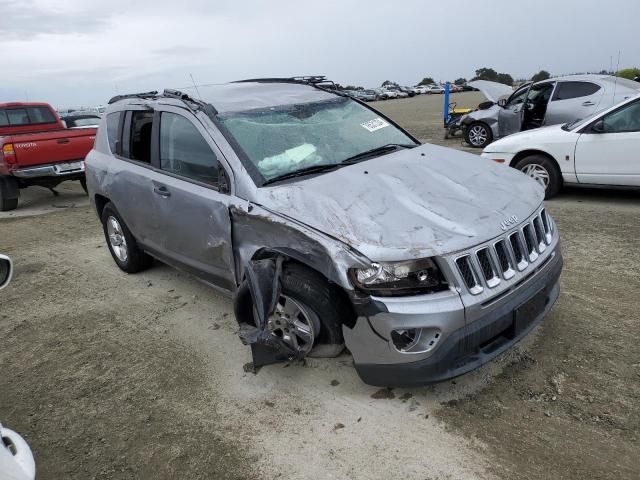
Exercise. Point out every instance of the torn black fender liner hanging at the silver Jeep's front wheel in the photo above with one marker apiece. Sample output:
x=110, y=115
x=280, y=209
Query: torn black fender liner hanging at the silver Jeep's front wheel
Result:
x=263, y=280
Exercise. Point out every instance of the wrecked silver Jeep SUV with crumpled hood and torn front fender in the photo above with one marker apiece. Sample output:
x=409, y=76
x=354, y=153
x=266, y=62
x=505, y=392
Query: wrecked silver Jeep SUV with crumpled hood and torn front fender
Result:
x=426, y=262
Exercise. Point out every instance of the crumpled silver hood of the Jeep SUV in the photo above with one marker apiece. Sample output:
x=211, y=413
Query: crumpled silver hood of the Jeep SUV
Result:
x=414, y=203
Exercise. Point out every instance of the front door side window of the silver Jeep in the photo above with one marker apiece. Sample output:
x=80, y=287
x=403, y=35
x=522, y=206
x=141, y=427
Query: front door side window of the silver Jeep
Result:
x=184, y=151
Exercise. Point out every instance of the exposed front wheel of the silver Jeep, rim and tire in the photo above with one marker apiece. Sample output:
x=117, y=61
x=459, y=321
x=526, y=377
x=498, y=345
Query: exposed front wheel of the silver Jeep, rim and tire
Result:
x=309, y=313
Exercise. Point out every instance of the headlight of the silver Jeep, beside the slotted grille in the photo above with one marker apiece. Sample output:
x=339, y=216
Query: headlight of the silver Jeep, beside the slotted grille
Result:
x=399, y=278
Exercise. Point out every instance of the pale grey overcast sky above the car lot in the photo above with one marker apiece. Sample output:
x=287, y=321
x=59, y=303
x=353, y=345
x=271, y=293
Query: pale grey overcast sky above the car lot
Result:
x=82, y=52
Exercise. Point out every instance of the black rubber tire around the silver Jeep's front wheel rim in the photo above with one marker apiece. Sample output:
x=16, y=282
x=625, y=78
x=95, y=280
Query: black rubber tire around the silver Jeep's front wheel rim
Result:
x=314, y=294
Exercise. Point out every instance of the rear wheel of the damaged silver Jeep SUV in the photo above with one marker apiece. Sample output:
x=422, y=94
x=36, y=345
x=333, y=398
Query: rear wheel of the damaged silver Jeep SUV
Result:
x=134, y=259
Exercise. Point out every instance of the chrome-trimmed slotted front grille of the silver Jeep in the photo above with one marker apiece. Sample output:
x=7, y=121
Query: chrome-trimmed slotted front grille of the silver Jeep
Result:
x=500, y=260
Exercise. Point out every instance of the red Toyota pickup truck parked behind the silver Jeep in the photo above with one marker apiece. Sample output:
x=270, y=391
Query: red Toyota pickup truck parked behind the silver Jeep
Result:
x=37, y=149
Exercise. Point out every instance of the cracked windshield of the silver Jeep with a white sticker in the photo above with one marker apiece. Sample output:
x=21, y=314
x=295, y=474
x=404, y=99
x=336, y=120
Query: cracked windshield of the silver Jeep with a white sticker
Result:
x=284, y=139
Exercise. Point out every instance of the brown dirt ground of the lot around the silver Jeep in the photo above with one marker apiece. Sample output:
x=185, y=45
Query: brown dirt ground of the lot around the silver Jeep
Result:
x=115, y=376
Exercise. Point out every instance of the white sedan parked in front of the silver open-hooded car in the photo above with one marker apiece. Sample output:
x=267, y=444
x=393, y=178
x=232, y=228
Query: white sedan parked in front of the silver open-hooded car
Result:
x=601, y=150
